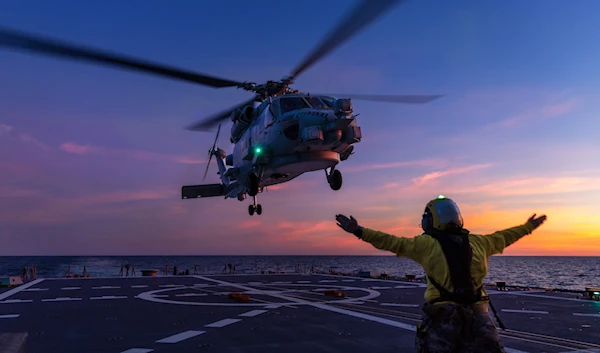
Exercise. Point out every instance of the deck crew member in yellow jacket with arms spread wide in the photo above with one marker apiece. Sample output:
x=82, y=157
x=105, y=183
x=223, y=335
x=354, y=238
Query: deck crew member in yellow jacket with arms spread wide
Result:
x=455, y=317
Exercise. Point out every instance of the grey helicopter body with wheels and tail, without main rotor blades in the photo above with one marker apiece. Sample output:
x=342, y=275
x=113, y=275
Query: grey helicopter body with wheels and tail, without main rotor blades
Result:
x=280, y=139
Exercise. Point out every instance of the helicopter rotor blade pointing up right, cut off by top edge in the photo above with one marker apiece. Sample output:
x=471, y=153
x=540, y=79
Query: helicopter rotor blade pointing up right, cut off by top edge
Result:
x=361, y=16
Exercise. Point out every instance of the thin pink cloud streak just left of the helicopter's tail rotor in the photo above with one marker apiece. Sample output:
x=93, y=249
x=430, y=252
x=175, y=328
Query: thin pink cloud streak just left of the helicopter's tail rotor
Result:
x=74, y=148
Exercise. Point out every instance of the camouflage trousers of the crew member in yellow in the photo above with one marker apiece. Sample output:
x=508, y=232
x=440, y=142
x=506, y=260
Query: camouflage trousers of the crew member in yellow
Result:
x=455, y=328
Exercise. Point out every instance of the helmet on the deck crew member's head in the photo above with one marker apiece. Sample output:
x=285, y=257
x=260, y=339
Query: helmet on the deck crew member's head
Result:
x=441, y=214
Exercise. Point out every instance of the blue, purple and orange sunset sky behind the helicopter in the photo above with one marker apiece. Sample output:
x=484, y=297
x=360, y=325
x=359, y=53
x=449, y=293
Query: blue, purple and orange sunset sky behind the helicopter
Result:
x=92, y=158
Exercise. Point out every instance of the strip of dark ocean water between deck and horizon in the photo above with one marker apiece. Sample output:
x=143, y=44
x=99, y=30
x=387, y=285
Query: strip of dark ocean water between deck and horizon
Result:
x=552, y=272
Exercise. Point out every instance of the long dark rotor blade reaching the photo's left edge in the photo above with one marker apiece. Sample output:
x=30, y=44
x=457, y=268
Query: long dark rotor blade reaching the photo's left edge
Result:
x=21, y=41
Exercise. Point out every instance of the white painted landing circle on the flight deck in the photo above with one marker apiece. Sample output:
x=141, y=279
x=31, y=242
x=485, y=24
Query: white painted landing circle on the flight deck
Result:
x=149, y=296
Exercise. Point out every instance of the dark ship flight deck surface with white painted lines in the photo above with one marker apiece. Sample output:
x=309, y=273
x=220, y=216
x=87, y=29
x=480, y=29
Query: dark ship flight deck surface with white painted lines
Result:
x=286, y=313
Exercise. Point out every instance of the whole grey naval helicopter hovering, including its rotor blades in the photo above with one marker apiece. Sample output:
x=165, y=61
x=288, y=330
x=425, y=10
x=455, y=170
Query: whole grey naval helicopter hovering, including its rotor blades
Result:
x=279, y=133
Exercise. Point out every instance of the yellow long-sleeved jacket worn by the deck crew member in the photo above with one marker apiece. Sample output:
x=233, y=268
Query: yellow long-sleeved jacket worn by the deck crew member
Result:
x=426, y=251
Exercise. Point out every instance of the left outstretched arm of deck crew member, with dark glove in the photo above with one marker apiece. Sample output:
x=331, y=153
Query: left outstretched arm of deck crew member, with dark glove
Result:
x=408, y=247
